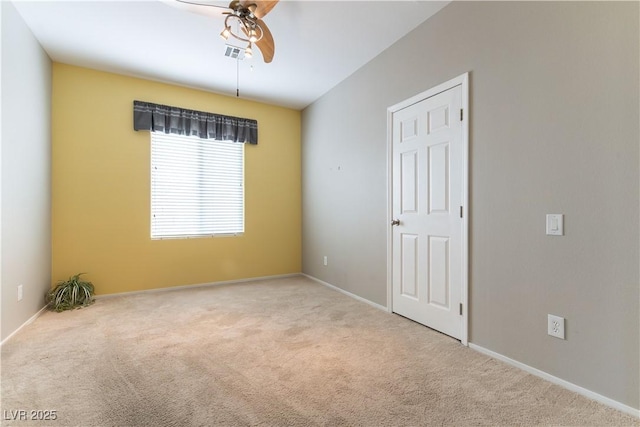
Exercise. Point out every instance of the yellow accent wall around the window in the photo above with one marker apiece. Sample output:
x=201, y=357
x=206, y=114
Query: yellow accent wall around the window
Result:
x=101, y=189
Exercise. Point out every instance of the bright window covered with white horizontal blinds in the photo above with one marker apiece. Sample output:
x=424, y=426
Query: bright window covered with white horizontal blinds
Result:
x=197, y=187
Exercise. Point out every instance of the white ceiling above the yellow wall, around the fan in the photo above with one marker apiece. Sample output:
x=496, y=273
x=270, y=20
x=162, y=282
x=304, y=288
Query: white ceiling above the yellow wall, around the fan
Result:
x=318, y=43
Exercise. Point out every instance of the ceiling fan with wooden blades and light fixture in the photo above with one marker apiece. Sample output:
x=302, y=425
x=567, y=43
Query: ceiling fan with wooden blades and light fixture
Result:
x=243, y=22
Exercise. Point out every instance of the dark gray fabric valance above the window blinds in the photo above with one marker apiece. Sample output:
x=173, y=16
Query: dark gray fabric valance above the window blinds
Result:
x=163, y=118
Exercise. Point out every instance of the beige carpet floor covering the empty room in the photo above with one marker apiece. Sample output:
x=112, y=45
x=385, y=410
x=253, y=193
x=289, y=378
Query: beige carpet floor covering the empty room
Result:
x=285, y=352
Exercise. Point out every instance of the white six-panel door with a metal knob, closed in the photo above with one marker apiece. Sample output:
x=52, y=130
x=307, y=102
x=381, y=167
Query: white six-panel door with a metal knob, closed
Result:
x=428, y=197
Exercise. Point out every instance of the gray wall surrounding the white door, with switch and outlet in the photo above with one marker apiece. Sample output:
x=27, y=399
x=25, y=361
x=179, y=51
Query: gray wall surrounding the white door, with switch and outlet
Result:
x=554, y=129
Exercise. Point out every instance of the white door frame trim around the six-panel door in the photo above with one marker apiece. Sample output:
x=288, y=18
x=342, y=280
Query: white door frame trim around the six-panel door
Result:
x=463, y=81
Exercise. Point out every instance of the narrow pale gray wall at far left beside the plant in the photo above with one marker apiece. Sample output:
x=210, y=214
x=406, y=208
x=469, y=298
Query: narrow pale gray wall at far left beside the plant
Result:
x=25, y=171
